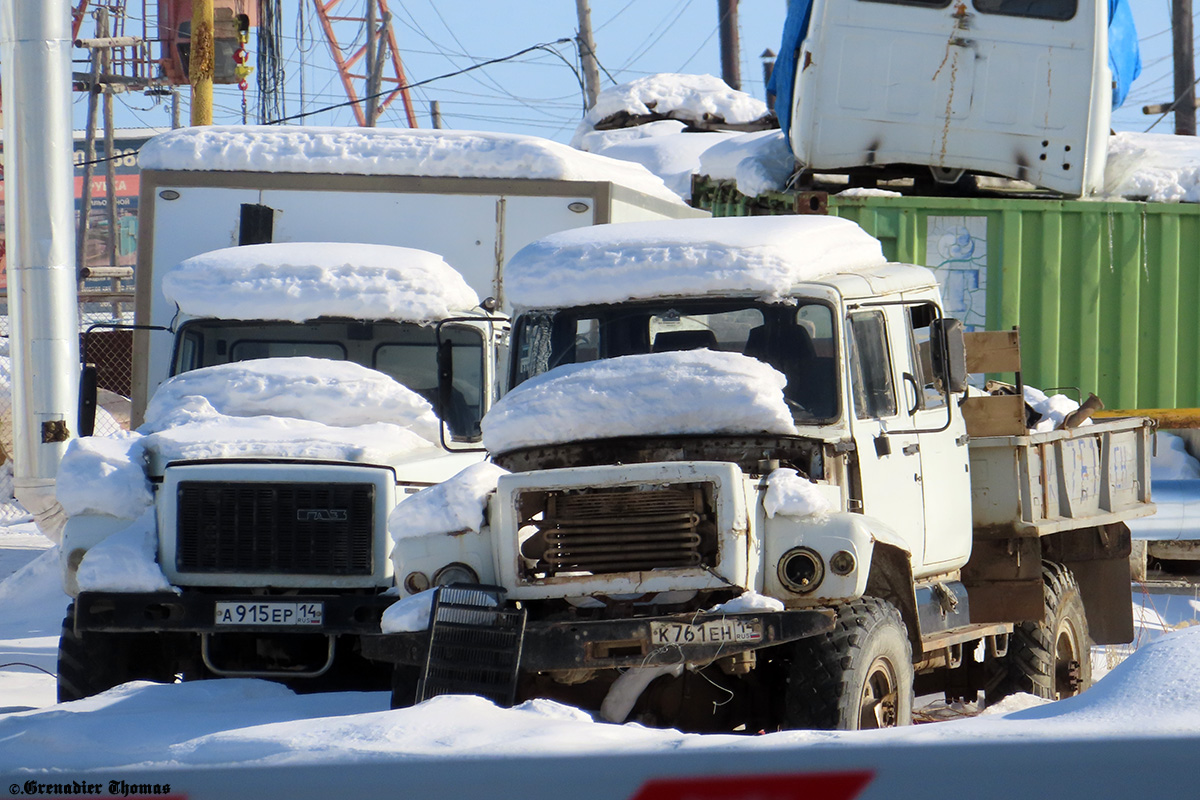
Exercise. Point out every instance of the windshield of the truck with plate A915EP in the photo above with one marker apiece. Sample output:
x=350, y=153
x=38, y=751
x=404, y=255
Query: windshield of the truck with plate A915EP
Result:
x=405, y=351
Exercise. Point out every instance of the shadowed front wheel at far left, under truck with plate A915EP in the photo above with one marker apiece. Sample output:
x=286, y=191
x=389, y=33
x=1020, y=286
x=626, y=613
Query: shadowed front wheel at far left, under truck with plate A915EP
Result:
x=93, y=663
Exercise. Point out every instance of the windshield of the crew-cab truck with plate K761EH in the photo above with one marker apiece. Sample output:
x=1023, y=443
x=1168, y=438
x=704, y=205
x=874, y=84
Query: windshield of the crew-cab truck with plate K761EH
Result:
x=797, y=340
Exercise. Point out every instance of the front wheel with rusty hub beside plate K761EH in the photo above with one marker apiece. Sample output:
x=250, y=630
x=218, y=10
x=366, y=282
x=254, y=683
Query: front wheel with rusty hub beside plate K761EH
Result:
x=855, y=678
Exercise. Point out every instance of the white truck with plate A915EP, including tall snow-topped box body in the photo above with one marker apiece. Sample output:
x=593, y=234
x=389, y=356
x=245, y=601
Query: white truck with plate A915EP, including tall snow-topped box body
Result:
x=261, y=244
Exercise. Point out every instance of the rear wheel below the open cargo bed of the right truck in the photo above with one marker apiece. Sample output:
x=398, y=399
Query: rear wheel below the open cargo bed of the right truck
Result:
x=1051, y=659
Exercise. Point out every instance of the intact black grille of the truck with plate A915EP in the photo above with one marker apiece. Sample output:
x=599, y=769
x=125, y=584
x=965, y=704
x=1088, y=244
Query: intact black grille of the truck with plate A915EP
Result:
x=281, y=528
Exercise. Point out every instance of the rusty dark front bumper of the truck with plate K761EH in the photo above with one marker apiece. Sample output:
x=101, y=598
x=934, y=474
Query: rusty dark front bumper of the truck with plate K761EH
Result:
x=598, y=645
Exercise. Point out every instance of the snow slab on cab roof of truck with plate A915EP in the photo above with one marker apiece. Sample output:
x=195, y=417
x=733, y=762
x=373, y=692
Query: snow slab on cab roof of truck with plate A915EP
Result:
x=301, y=281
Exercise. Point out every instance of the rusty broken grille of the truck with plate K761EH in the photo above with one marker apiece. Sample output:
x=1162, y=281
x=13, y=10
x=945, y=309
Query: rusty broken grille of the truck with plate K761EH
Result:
x=620, y=531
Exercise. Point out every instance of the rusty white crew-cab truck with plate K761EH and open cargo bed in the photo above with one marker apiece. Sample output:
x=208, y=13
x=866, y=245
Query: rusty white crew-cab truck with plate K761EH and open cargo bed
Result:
x=739, y=485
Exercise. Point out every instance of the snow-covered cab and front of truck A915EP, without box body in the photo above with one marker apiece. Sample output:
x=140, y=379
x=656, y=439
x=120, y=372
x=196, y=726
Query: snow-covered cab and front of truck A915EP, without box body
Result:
x=242, y=531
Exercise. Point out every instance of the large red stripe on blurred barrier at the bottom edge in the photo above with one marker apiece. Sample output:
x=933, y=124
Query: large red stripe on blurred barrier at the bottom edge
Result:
x=808, y=786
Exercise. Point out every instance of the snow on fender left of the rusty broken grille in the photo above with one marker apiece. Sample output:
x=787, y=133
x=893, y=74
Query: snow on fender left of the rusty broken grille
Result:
x=454, y=507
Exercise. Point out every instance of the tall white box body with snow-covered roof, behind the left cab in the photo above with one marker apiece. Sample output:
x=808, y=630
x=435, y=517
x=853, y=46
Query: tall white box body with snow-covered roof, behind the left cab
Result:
x=473, y=199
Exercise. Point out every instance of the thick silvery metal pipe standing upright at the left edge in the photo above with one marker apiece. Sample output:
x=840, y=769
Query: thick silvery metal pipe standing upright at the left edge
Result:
x=35, y=50
